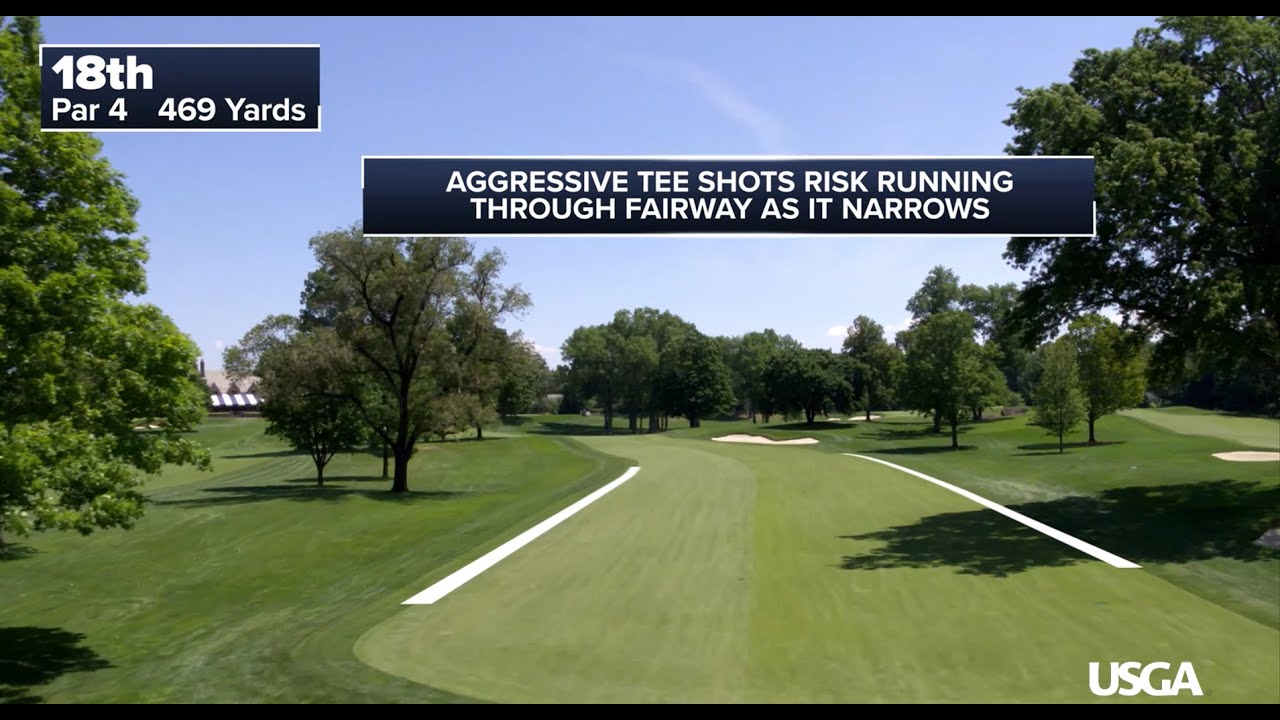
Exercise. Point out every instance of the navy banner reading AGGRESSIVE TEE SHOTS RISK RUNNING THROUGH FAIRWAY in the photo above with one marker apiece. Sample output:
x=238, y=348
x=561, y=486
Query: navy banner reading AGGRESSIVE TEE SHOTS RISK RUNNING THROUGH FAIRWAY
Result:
x=772, y=197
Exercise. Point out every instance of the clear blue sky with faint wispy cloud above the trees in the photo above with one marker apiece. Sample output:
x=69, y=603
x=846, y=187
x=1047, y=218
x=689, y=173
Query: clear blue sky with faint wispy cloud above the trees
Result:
x=228, y=216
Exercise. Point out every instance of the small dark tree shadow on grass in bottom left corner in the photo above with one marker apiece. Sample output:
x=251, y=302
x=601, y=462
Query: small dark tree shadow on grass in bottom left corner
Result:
x=35, y=657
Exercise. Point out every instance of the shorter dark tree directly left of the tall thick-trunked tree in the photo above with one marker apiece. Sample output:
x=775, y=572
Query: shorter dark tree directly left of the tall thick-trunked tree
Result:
x=307, y=405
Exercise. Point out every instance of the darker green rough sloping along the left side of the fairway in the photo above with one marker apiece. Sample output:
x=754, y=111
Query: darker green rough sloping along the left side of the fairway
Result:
x=252, y=585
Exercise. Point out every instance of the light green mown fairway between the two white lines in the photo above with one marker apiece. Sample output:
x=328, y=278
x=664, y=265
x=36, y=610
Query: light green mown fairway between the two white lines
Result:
x=771, y=575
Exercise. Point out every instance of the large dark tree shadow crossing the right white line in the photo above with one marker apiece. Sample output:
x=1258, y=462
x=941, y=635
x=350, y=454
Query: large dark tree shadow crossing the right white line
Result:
x=1177, y=523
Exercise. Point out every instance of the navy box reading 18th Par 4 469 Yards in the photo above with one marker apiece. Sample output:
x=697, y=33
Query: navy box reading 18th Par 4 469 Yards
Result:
x=180, y=88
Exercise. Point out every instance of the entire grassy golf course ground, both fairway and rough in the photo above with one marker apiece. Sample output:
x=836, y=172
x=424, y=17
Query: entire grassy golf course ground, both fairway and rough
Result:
x=719, y=573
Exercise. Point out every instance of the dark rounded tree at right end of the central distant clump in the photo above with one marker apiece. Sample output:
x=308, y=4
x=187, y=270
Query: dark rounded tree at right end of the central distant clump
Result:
x=697, y=384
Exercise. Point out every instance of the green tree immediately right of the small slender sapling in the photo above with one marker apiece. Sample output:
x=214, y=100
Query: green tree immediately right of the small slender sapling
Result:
x=1112, y=372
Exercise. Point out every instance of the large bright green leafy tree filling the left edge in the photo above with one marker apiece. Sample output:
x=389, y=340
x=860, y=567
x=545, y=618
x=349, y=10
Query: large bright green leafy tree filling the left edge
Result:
x=81, y=364
